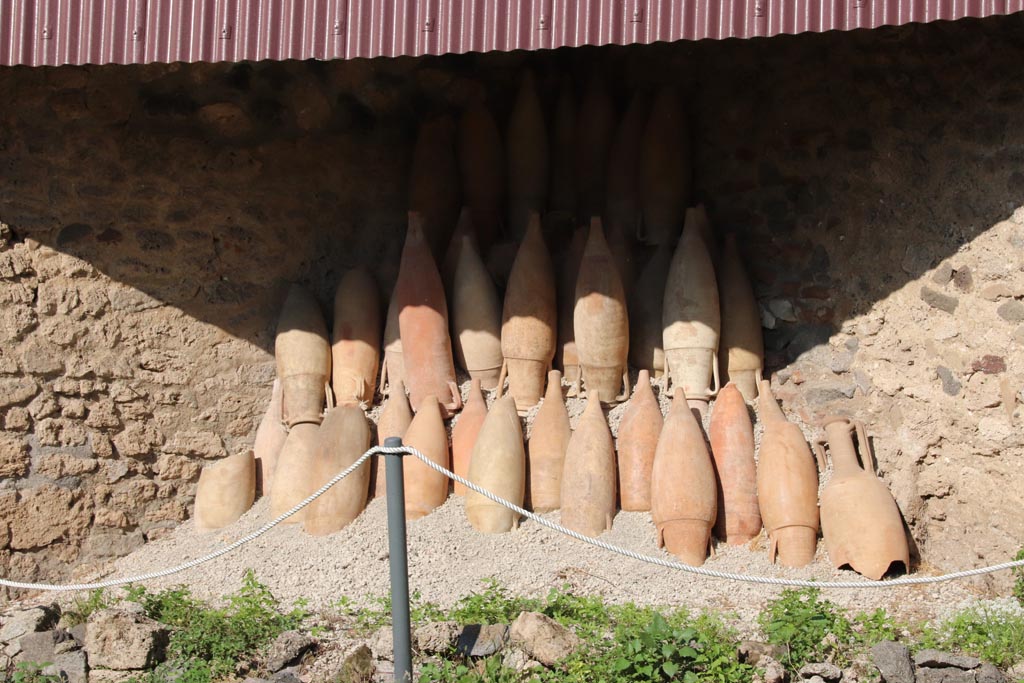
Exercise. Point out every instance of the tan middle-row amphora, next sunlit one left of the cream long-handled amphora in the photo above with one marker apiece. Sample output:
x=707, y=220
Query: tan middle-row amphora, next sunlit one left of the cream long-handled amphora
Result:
x=601, y=322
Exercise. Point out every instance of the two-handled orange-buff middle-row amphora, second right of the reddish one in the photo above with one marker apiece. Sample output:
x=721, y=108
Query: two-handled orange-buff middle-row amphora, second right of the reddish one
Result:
x=529, y=321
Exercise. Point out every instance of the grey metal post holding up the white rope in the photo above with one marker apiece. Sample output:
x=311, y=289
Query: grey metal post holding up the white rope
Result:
x=399, y=560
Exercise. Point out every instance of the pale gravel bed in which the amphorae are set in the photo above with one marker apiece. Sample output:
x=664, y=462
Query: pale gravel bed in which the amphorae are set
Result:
x=449, y=560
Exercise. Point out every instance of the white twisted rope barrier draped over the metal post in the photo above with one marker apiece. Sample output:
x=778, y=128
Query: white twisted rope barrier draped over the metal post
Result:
x=660, y=562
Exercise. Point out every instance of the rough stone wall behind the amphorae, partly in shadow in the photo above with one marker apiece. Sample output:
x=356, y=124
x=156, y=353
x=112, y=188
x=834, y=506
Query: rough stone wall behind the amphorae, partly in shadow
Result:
x=154, y=217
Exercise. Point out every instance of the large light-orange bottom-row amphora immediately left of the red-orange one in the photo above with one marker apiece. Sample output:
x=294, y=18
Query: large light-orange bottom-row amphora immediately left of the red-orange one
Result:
x=684, y=497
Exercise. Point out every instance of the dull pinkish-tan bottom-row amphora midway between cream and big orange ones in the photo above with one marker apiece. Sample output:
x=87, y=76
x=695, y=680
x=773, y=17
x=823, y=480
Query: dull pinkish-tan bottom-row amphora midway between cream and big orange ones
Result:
x=589, y=476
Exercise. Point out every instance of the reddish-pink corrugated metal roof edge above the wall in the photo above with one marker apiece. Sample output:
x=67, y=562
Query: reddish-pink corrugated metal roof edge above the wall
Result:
x=60, y=32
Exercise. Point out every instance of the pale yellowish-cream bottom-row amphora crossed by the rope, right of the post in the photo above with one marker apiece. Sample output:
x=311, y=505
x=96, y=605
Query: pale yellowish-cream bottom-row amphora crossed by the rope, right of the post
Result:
x=499, y=466
